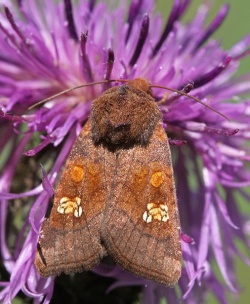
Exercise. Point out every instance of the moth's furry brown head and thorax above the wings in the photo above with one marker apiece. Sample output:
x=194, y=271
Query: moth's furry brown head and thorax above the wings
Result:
x=125, y=115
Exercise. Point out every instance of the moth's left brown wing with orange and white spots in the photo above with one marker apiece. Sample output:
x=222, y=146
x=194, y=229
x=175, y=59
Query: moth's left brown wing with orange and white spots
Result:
x=70, y=236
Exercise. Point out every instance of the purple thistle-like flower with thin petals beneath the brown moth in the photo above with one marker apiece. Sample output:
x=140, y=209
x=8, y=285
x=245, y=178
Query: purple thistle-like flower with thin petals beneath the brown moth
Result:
x=49, y=46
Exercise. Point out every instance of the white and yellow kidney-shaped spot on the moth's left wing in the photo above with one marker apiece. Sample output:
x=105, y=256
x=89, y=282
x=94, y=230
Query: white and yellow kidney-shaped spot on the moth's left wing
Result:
x=70, y=205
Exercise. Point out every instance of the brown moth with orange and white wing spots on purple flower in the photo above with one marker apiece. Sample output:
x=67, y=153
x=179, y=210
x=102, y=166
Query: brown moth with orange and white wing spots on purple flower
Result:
x=116, y=195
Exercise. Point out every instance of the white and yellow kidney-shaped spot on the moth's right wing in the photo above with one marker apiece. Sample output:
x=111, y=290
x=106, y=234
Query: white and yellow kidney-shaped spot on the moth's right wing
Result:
x=157, y=212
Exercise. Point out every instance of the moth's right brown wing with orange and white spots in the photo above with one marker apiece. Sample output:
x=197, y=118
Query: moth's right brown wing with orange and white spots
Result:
x=141, y=229
